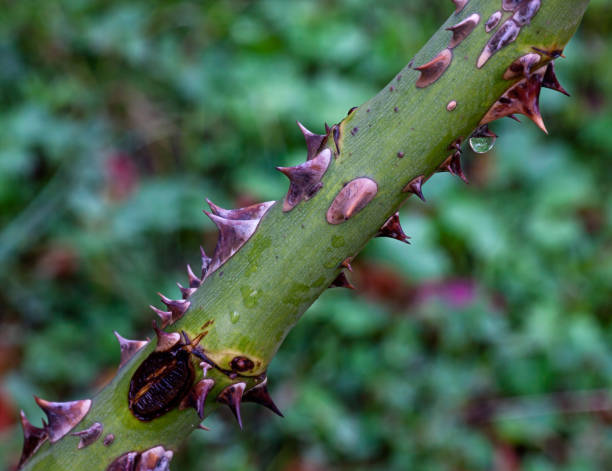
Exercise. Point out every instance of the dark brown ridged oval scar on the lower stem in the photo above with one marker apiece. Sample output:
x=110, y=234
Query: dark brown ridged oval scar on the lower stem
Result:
x=163, y=379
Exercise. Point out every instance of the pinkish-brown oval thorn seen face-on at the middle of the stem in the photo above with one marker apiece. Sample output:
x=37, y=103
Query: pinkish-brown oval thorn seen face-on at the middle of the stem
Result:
x=351, y=199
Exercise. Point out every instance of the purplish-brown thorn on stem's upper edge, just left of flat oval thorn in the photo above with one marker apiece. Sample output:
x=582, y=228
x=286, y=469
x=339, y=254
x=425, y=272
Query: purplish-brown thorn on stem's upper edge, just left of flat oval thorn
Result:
x=305, y=179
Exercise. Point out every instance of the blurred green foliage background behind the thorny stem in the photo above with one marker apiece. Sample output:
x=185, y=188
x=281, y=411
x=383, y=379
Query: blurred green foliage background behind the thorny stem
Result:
x=486, y=344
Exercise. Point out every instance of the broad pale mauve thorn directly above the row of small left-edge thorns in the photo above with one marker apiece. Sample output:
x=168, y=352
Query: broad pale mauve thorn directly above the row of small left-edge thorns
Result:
x=233, y=234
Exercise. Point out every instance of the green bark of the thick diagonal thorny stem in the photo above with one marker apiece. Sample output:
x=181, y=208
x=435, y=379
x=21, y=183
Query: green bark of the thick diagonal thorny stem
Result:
x=259, y=294
